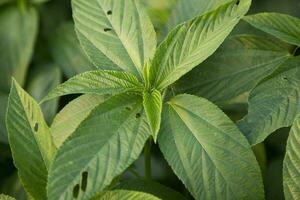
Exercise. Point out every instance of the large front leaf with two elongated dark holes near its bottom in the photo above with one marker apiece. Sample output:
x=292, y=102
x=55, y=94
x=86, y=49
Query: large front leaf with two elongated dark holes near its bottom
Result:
x=107, y=142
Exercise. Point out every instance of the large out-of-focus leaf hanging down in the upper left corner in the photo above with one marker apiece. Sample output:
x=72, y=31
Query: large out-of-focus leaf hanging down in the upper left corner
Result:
x=17, y=36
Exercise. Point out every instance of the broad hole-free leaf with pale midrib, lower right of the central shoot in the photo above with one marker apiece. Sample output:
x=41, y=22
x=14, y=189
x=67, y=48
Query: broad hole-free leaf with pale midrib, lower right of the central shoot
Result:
x=207, y=151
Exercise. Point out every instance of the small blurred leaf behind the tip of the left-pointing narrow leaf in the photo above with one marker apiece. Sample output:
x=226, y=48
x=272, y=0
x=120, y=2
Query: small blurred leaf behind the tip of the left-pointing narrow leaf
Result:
x=42, y=79
